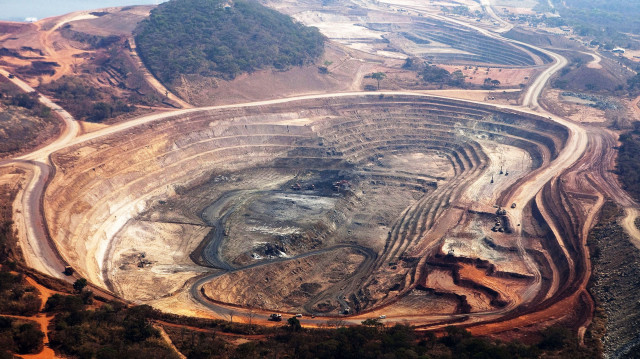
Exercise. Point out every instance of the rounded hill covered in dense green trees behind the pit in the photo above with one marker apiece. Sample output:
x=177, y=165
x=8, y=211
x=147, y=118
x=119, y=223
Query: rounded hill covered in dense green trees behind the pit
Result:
x=216, y=38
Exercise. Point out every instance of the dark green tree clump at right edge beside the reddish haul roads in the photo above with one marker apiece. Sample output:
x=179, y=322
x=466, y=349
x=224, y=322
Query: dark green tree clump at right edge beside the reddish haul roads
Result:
x=628, y=165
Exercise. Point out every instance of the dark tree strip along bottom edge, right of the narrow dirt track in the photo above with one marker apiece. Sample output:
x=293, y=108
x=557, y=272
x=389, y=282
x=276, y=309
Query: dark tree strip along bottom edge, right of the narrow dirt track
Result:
x=374, y=340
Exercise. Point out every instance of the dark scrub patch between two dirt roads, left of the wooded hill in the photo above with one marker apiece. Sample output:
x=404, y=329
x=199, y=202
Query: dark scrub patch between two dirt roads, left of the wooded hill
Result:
x=85, y=101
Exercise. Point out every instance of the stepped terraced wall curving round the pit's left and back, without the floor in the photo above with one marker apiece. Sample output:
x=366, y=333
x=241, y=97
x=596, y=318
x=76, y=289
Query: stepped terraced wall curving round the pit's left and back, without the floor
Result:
x=102, y=187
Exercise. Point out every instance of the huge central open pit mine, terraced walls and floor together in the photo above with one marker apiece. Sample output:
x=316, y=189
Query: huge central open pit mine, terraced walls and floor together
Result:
x=402, y=204
